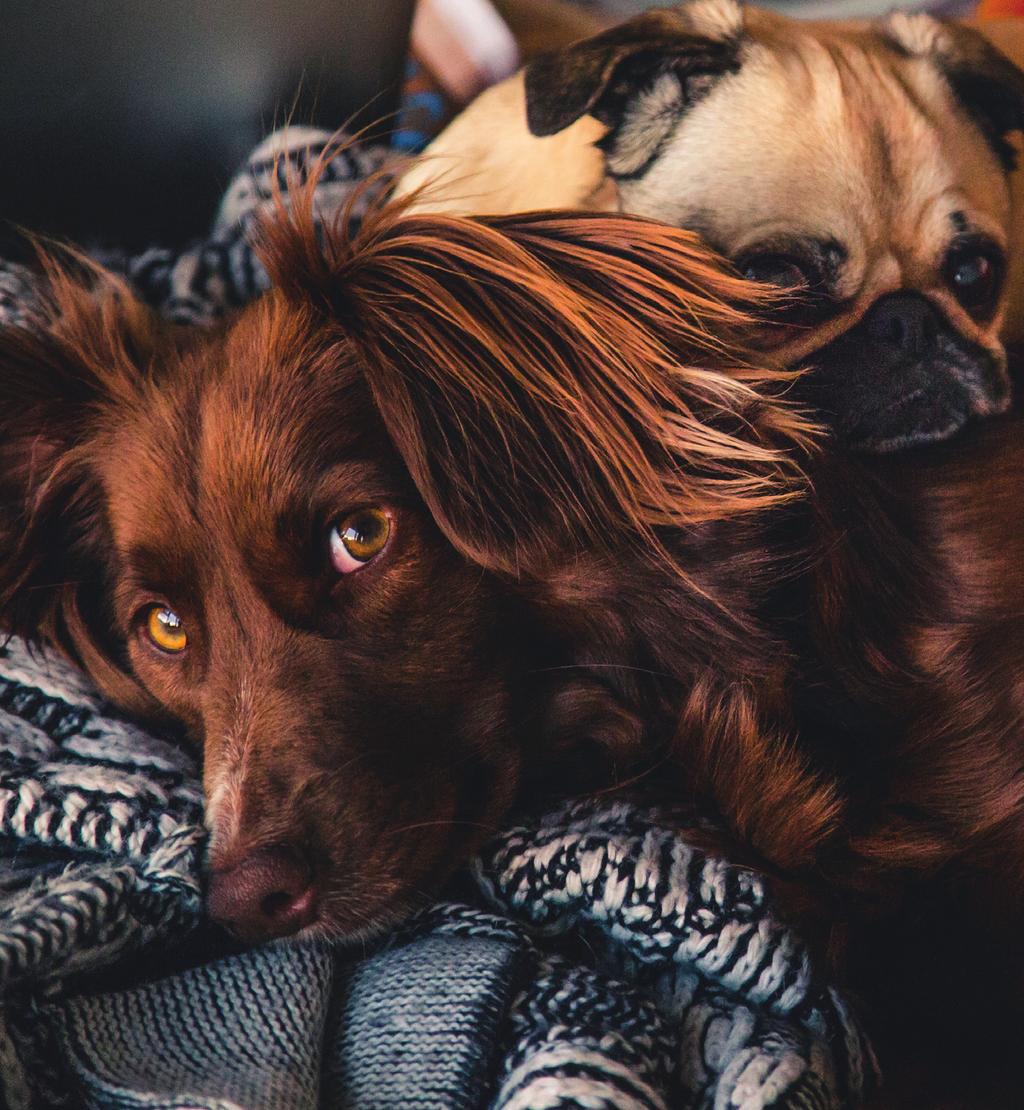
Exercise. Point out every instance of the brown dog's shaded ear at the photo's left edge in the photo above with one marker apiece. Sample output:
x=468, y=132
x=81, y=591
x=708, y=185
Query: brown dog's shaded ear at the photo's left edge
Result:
x=56, y=381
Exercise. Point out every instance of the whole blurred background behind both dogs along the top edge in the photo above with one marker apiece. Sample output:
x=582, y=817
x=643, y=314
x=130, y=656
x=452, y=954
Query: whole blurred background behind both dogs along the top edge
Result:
x=125, y=119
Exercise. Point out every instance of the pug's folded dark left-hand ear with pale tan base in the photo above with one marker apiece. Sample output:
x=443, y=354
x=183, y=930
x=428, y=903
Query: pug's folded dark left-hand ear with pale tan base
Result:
x=691, y=45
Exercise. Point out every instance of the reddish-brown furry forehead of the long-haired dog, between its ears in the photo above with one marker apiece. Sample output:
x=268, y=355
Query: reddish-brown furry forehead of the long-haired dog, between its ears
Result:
x=237, y=428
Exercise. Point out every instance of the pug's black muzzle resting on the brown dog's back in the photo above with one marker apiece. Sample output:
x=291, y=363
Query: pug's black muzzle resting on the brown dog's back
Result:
x=904, y=378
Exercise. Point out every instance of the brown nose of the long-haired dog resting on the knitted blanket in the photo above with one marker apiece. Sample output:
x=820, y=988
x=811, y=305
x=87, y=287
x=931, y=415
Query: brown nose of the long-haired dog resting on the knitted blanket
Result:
x=270, y=894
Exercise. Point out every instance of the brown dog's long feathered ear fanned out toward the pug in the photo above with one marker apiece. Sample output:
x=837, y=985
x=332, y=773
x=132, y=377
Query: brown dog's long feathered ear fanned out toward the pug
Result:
x=554, y=381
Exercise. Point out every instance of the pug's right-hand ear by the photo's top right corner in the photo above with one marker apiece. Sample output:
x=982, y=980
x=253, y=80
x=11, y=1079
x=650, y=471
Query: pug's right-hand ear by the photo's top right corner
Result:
x=988, y=85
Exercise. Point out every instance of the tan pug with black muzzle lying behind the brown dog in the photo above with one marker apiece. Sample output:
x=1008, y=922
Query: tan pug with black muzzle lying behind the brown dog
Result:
x=864, y=168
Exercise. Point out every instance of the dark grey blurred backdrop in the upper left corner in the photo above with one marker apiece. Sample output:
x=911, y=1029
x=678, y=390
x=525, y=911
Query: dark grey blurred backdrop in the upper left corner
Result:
x=124, y=120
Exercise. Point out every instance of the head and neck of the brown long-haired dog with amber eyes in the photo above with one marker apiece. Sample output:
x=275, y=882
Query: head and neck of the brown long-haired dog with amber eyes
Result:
x=447, y=504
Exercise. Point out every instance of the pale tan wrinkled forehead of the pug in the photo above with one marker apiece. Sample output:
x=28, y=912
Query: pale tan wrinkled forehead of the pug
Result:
x=836, y=136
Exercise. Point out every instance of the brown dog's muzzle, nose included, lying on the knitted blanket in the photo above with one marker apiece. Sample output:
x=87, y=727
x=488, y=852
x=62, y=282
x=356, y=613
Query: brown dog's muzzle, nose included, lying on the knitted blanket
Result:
x=342, y=831
